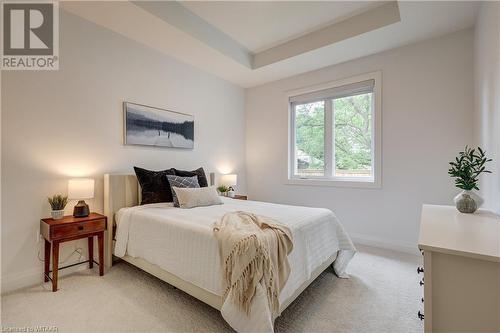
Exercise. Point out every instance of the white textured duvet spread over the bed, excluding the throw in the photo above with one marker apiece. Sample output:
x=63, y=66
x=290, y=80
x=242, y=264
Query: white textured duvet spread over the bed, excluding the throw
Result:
x=181, y=241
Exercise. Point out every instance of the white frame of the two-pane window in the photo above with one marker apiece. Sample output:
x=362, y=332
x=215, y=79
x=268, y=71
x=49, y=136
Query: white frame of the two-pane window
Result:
x=359, y=182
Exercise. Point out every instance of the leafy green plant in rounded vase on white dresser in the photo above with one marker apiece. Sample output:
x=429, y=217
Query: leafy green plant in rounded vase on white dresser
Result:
x=466, y=168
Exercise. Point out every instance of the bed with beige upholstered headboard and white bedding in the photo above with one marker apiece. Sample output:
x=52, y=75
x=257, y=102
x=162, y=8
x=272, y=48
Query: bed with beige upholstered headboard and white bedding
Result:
x=177, y=245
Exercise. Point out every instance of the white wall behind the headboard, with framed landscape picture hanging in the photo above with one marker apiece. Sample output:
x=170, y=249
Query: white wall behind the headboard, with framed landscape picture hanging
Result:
x=67, y=123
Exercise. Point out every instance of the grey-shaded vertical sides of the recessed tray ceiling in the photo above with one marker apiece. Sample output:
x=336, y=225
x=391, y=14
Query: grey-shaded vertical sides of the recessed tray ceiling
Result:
x=179, y=16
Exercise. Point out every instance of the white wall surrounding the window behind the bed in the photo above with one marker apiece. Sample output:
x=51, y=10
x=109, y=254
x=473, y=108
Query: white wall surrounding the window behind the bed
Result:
x=426, y=119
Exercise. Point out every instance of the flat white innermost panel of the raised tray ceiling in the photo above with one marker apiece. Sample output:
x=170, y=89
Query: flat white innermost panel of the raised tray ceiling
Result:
x=259, y=25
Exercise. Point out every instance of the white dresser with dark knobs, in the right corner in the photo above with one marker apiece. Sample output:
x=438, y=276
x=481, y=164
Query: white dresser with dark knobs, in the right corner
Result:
x=461, y=270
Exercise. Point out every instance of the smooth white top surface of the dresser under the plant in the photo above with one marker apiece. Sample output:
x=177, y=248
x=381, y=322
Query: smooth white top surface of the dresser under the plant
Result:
x=446, y=230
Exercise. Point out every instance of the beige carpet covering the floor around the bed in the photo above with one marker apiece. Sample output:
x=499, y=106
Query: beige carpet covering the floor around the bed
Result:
x=382, y=295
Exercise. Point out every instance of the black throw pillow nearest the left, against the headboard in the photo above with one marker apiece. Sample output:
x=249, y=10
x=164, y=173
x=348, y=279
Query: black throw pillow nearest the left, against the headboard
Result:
x=154, y=185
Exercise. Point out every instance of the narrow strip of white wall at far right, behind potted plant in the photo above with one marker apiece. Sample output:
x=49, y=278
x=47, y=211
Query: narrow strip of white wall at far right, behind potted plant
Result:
x=487, y=79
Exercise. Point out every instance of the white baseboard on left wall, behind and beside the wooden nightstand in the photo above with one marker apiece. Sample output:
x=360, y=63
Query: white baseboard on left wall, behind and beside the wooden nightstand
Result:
x=32, y=277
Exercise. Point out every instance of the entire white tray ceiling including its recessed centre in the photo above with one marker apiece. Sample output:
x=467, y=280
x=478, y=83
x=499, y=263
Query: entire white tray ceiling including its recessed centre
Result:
x=226, y=38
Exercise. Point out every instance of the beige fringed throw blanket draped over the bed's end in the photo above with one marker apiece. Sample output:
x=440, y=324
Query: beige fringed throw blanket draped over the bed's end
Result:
x=253, y=250
